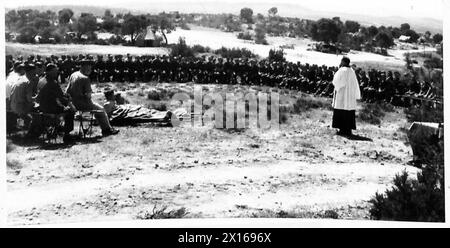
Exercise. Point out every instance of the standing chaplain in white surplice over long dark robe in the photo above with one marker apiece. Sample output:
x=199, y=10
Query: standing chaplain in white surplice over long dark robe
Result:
x=346, y=92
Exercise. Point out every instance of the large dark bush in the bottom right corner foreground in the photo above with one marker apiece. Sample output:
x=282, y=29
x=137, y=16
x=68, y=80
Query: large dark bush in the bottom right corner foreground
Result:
x=414, y=200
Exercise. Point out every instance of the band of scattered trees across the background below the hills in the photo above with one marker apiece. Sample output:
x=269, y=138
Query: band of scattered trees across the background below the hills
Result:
x=64, y=26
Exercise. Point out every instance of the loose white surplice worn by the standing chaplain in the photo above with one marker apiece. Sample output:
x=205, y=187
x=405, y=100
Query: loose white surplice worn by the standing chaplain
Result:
x=346, y=89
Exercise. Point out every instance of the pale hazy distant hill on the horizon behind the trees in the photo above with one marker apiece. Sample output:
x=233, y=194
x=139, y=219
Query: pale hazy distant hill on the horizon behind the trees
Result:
x=289, y=10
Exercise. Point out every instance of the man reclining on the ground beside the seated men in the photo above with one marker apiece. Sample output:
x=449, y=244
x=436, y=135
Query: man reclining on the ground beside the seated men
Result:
x=120, y=113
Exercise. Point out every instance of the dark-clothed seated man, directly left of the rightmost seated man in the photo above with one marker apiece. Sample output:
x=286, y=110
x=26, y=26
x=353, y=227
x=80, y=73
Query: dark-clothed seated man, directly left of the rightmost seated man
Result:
x=52, y=100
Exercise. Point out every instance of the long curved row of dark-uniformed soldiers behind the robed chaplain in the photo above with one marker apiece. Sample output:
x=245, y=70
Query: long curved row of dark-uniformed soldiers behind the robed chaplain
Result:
x=375, y=85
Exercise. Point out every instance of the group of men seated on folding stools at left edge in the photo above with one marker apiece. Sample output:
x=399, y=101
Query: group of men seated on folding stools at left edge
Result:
x=32, y=88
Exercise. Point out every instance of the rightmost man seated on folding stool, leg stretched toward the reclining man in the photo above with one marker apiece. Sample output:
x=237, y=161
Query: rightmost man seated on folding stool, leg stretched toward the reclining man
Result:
x=79, y=89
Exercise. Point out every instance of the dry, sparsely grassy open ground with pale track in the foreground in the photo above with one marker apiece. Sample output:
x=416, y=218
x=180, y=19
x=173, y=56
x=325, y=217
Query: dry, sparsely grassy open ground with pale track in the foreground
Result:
x=302, y=170
